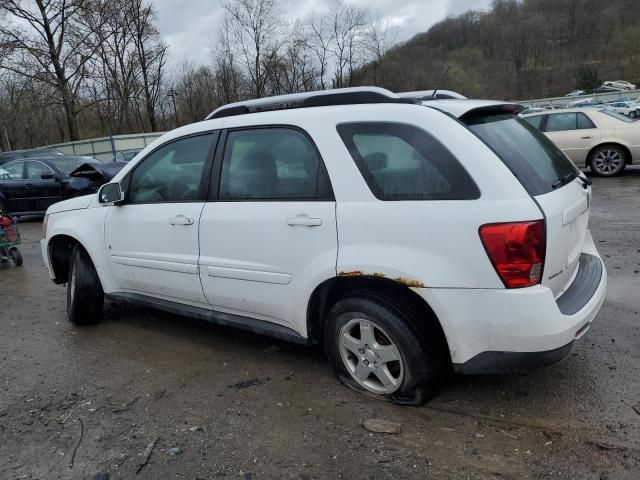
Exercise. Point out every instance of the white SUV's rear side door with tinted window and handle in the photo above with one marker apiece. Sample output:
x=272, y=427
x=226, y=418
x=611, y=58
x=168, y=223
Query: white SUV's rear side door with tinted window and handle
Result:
x=270, y=229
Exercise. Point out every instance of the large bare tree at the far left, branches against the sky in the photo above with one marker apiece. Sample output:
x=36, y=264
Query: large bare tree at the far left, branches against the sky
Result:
x=49, y=44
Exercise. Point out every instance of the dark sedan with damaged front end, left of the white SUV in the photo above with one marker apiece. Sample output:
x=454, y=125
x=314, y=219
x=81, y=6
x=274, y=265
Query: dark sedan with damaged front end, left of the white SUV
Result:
x=34, y=184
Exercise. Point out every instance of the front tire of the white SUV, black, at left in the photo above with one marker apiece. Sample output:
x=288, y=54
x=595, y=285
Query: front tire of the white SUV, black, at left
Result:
x=85, y=297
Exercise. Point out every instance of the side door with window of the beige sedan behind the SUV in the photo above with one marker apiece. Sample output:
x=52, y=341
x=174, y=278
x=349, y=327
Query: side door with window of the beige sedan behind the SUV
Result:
x=574, y=133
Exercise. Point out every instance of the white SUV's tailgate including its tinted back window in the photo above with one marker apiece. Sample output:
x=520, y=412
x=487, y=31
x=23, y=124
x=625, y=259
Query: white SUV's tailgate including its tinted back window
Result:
x=554, y=183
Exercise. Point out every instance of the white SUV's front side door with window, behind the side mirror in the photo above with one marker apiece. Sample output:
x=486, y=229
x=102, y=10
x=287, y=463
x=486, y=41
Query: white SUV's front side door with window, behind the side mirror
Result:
x=152, y=239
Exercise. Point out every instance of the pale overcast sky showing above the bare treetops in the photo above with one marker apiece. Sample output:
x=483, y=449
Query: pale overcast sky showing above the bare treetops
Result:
x=190, y=26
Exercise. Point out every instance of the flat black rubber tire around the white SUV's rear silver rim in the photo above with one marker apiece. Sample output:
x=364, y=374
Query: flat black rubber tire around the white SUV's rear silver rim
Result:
x=424, y=354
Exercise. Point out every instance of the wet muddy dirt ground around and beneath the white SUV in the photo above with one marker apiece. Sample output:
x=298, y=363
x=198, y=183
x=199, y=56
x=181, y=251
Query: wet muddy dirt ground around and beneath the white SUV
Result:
x=80, y=402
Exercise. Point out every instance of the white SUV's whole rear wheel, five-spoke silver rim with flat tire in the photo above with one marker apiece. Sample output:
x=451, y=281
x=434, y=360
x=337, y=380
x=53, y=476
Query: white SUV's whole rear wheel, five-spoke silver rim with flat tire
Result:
x=375, y=345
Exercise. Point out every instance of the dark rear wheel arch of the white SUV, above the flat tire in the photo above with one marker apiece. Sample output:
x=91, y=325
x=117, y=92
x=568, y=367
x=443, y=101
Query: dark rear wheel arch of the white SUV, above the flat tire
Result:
x=331, y=290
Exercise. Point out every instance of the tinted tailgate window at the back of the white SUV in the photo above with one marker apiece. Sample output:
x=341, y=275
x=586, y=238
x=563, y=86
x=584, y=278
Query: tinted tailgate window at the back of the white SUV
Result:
x=530, y=155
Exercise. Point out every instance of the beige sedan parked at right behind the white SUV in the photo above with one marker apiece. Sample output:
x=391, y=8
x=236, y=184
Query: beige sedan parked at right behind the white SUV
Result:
x=601, y=139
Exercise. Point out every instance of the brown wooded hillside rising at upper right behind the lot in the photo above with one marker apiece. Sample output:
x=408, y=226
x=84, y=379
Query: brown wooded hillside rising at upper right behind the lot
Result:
x=520, y=49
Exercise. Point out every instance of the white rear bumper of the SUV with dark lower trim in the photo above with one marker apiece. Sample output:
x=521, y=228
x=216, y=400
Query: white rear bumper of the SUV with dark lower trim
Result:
x=513, y=330
